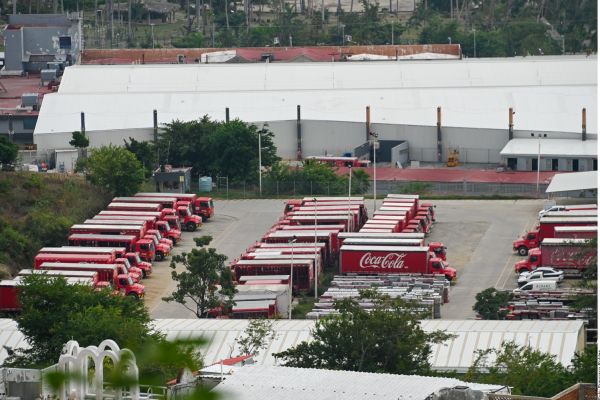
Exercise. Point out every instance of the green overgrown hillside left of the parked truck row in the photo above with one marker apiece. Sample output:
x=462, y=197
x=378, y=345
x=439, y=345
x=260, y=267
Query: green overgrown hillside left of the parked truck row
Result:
x=37, y=210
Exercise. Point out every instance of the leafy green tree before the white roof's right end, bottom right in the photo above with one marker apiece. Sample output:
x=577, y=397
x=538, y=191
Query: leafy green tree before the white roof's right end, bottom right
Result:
x=528, y=371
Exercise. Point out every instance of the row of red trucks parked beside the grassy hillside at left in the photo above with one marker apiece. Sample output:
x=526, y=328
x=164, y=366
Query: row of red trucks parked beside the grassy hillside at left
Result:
x=115, y=248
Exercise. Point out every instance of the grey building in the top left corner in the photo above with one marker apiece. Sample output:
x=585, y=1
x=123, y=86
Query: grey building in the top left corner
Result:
x=36, y=42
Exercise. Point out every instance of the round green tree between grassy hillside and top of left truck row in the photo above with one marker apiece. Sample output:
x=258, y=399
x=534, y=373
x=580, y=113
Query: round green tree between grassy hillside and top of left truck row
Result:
x=116, y=169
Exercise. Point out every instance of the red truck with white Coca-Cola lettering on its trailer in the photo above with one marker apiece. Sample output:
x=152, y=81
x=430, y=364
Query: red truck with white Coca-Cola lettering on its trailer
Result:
x=392, y=260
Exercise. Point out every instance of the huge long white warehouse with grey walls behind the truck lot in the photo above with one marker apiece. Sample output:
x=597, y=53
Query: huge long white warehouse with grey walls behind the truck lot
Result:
x=546, y=94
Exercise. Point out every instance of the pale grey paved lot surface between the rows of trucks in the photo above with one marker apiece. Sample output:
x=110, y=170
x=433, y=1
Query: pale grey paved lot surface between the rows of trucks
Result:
x=478, y=234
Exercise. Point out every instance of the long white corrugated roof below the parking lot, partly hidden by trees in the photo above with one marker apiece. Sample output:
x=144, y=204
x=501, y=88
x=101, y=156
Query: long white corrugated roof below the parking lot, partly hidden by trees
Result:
x=559, y=338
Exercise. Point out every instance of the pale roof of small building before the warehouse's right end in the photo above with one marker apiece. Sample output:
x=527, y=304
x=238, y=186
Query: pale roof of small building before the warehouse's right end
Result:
x=550, y=148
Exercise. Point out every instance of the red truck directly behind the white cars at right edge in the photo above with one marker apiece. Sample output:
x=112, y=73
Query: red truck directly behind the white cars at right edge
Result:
x=570, y=255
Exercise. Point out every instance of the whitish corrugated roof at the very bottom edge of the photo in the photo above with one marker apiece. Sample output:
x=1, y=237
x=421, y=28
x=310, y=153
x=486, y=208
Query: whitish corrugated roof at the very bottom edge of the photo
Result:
x=259, y=383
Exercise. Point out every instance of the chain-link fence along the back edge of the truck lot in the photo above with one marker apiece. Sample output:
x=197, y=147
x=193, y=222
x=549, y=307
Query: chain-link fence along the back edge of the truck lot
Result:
x=284, y=189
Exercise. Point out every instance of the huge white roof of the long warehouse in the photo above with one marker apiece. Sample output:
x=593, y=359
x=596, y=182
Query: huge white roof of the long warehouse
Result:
x=547, y=93
